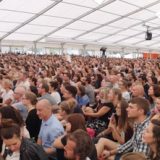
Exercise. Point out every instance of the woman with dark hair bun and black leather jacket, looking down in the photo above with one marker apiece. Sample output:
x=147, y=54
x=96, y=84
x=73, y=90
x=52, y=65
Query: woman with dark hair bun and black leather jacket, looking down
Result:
x=11, y=135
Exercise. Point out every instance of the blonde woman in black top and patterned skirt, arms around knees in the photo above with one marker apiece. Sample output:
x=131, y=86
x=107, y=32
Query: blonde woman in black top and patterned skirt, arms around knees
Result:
x=97, y=118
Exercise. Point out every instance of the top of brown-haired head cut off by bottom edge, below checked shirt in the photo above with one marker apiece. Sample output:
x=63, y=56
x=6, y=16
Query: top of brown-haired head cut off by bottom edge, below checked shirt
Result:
x=133, y=156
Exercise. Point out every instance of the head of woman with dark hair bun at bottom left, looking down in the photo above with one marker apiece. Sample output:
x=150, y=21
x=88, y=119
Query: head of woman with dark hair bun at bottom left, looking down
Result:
x=11, y=135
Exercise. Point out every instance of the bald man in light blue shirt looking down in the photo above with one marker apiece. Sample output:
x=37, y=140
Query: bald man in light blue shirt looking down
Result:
x=51, y=128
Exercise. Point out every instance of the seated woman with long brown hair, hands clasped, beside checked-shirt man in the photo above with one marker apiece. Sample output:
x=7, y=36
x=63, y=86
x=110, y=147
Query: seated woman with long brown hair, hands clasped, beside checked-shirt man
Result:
x=120, y=130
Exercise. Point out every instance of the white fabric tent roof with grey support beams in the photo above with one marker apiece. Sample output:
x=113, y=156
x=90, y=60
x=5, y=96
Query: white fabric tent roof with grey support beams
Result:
x=114, y=22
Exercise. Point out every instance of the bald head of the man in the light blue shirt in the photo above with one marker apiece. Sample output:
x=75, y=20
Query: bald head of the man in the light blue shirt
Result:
x=44, y=109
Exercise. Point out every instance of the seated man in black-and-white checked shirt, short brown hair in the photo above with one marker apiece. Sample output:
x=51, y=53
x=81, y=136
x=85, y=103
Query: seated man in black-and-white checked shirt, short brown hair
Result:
x=137, y=110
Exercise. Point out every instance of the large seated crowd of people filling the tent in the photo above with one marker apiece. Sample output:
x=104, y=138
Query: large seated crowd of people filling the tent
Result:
x=87, y=108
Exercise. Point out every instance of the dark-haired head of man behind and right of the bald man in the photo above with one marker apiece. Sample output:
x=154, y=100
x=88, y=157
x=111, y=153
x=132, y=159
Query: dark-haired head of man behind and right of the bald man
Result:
x=69, y=92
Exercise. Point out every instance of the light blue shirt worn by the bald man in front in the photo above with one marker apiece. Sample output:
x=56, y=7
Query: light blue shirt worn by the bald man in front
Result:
x=50, y=130
